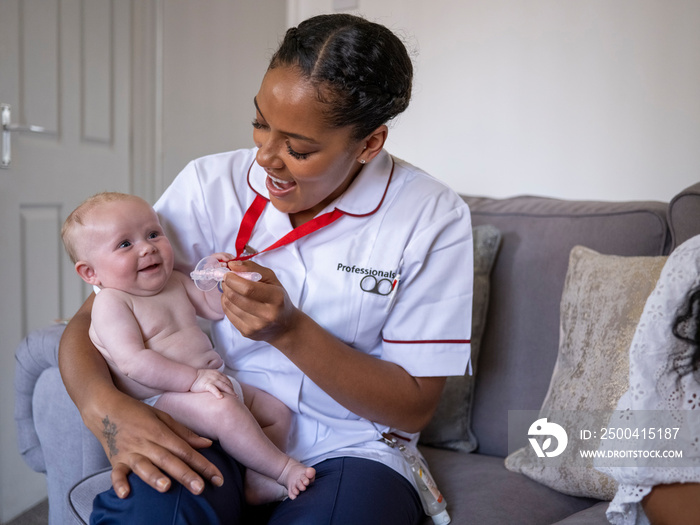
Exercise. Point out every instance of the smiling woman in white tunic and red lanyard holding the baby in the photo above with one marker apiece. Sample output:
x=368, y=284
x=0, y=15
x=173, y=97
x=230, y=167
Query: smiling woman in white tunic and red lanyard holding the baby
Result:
x=359, y=316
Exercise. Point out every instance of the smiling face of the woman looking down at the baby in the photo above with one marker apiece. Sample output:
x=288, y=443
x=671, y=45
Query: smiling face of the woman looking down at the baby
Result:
x=309, y=164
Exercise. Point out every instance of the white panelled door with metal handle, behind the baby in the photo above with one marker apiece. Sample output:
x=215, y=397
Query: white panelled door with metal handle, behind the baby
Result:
x=64, y=66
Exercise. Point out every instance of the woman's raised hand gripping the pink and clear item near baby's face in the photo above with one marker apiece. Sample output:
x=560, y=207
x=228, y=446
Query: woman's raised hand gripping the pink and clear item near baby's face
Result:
x=262, y=310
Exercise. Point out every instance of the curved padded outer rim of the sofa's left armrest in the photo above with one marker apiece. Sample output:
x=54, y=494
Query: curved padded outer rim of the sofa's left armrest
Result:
x=35, y=354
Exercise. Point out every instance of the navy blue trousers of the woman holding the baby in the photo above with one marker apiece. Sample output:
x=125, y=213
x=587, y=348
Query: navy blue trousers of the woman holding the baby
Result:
x=347, y=491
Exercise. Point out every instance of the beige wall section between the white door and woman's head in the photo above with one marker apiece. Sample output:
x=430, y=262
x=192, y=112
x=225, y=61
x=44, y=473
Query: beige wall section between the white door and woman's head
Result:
x=215, y=54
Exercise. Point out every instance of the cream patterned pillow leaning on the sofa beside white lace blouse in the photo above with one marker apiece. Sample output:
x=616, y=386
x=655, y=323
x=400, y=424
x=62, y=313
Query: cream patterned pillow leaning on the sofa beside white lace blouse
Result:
x=601, y=304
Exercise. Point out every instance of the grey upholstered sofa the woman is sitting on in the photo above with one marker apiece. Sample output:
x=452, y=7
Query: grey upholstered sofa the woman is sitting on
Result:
x=517, y=354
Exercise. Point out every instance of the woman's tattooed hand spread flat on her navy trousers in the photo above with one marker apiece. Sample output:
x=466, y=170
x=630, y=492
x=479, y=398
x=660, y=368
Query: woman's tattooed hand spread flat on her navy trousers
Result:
x=148, y=442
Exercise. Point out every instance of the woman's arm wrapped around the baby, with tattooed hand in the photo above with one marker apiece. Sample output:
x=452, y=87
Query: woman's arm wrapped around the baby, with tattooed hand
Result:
x=135, y=437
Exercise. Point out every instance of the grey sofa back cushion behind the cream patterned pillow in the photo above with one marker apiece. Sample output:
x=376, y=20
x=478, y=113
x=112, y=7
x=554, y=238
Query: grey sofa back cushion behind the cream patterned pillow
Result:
x=521, y=337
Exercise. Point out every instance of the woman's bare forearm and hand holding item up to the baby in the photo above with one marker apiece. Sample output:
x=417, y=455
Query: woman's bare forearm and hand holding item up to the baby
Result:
x=374, y=389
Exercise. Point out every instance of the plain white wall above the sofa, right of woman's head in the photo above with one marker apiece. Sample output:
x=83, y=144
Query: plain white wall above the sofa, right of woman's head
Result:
x=585, y=99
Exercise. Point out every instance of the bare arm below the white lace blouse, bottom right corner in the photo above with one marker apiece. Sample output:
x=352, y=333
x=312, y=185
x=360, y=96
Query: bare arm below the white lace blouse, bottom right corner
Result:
x=673, y=504
